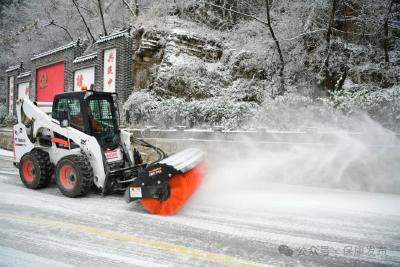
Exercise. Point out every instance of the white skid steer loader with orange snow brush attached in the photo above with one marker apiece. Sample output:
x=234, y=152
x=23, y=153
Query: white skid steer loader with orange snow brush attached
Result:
x=81, y=145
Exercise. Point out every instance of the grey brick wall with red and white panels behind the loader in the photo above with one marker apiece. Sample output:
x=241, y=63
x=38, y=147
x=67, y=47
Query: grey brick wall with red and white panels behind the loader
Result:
x=104, y=66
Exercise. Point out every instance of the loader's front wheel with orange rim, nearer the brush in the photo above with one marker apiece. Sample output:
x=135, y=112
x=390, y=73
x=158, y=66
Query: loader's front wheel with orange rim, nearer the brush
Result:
x=74, y=175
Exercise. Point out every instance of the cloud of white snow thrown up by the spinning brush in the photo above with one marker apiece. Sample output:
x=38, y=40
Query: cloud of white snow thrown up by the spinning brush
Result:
x=326, y=149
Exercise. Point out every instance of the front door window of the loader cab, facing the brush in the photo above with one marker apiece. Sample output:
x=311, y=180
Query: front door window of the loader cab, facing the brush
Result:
x=102, y=121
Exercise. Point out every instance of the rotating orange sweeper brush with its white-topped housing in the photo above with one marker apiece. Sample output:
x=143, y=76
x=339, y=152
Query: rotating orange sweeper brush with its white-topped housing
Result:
x=165, y=186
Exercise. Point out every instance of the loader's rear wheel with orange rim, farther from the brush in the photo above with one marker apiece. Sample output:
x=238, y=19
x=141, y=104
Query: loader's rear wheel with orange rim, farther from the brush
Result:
x=38, y=174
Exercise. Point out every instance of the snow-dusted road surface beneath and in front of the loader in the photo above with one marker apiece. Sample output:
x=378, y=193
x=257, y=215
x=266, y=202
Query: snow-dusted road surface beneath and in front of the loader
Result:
x=280, y=225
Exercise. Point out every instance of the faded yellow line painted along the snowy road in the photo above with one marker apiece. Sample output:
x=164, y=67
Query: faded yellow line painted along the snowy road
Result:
x=154, y=244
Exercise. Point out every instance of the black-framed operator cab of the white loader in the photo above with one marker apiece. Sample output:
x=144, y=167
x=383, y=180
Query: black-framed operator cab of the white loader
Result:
x=94, y=113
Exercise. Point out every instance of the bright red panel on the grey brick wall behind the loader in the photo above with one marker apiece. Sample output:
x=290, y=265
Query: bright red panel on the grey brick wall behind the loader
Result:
x=49, y=82
